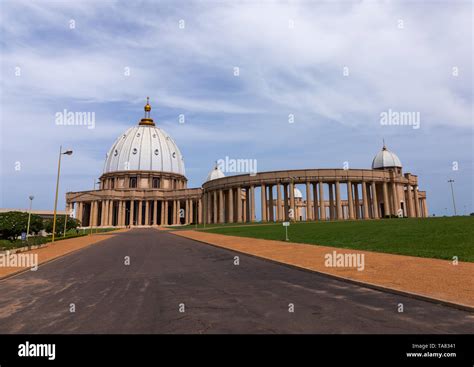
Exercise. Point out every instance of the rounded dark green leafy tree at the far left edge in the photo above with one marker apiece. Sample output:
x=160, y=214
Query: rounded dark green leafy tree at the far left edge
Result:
x=12, y=224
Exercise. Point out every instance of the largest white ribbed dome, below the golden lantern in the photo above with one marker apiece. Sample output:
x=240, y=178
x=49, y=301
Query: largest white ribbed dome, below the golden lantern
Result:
x=144, y=148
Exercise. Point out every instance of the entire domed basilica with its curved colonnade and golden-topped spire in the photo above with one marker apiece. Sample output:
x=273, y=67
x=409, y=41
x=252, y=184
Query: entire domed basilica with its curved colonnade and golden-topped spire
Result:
x=144, y=184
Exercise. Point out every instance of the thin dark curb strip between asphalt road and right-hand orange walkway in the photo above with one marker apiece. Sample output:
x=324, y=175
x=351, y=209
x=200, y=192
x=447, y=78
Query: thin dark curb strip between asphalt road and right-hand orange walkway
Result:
x=418, y=296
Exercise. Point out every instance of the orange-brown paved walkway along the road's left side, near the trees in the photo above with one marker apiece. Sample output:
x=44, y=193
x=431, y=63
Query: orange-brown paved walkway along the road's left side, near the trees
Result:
x=60, y=248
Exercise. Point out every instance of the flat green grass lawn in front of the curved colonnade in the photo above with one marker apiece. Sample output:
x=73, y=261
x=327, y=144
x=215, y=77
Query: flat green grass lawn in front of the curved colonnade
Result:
x=441, y=238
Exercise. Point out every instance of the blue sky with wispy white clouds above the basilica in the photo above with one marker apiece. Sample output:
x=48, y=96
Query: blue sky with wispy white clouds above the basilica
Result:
x=336, y=67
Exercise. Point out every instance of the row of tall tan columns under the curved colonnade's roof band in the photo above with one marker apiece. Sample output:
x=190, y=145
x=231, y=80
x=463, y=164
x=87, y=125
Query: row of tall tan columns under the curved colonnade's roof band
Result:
x=364, y=200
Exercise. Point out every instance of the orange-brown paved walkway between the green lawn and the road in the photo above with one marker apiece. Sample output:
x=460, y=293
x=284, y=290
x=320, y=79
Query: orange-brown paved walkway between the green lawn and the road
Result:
x=432, y=278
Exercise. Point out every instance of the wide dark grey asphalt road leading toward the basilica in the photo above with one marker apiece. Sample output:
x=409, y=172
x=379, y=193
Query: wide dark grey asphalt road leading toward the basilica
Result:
x=168, y=274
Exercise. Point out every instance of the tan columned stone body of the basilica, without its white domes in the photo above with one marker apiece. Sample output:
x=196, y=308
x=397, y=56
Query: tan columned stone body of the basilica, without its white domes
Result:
x=149, y=198
